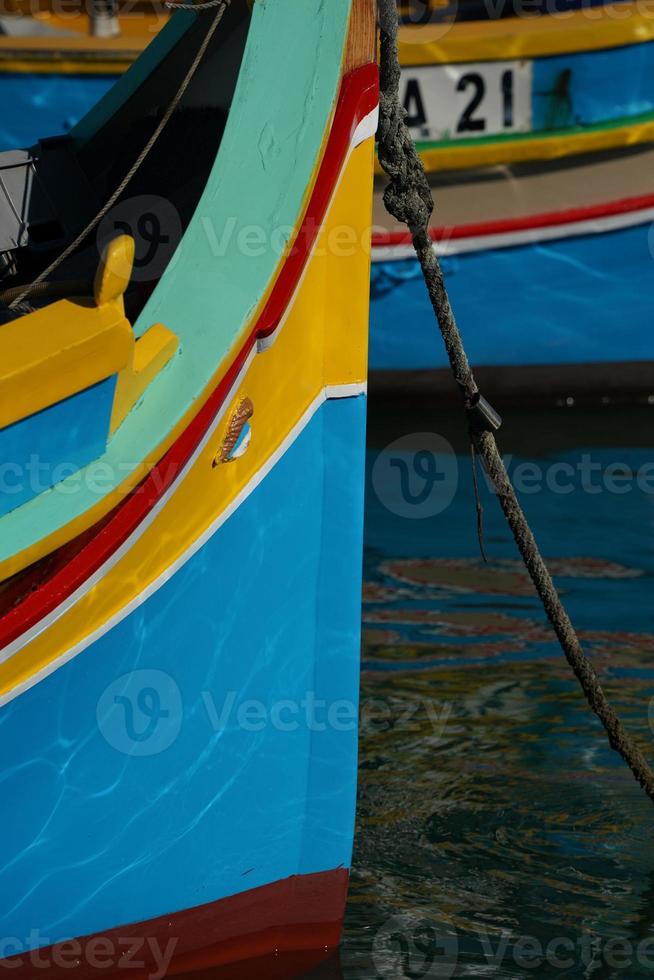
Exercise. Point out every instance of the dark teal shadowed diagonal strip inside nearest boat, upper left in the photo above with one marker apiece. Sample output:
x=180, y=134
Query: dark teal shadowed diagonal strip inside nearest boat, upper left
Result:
x=127, y=84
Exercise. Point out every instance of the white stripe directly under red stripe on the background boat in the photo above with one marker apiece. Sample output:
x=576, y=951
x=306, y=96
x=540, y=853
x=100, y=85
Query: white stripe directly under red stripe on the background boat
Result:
x=528, y=236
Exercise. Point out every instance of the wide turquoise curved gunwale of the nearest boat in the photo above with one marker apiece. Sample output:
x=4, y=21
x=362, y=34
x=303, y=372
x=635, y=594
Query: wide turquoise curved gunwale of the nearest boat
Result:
x=268, y=154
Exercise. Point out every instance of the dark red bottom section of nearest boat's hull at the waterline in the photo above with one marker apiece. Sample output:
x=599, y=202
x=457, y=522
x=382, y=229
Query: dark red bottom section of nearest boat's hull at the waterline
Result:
x=300, y=915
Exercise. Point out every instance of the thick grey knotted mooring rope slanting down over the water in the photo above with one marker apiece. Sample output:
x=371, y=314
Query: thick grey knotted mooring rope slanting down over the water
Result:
x=408, y=198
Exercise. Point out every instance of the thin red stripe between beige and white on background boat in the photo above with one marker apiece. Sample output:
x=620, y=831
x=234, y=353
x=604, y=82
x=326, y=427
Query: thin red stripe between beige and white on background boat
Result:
x=507, y=226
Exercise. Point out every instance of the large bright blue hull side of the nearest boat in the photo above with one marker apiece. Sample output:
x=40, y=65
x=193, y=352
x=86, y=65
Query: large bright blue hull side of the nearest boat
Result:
x=219, y=719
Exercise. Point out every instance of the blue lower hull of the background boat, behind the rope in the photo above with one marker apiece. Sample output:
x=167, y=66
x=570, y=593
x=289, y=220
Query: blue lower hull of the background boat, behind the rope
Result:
x=584, y=300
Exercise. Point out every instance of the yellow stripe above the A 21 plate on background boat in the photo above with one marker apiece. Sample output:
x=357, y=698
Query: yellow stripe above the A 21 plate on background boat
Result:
x=590, y=29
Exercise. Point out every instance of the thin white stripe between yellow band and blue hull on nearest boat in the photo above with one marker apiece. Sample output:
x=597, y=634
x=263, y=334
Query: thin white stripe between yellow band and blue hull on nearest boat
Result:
x=331, y=392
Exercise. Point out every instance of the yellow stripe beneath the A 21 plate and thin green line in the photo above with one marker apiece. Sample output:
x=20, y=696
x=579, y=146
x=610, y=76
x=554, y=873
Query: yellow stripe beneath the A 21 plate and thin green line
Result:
x=546, y=147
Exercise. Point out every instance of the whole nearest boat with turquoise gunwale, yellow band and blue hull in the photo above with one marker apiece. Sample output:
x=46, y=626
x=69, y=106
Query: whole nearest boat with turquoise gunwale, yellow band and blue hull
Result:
x=182, y=446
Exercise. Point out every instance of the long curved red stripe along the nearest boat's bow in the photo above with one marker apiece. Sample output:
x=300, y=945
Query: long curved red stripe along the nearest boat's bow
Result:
x=358, y=97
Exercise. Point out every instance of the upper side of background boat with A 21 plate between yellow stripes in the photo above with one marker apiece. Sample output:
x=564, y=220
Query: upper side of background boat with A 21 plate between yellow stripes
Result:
x=520, y=88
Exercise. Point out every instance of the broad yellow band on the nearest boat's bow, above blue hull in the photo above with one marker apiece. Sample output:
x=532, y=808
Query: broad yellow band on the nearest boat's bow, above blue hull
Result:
x=322, y=343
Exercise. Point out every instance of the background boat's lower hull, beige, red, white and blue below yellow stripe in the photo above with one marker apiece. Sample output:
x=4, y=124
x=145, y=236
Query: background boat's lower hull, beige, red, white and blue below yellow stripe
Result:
x=548, y=271
